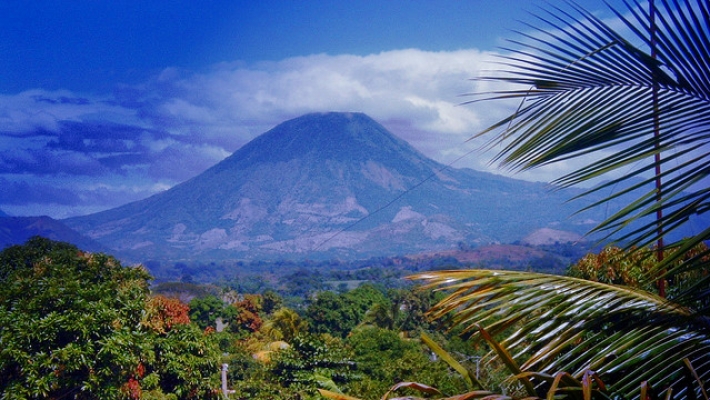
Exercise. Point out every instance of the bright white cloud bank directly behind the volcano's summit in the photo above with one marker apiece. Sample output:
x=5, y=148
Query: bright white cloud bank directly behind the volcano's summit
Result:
x=419, y=87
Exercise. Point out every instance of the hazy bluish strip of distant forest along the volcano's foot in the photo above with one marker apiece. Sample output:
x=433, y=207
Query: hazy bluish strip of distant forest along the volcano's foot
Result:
x=300, y=277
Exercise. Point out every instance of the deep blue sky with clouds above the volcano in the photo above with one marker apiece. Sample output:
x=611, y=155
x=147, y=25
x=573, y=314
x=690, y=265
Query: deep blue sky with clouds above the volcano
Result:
x=107, y=102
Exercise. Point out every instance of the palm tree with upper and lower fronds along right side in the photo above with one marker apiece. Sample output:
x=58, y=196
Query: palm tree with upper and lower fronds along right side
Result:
x=641, y=107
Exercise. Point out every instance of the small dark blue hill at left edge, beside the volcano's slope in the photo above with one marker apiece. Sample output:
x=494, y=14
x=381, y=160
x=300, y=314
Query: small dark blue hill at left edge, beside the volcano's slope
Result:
x=16, y=230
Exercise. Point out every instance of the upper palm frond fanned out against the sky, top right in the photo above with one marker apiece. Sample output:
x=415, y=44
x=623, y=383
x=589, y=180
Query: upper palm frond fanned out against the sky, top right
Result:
x=587, y=89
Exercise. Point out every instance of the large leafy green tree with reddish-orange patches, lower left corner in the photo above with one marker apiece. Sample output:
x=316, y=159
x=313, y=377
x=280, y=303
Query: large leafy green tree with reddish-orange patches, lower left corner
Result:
x=80, y=325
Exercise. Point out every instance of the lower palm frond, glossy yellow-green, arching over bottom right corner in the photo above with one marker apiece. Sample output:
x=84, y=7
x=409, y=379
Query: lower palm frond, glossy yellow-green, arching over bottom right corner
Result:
x=561, y=324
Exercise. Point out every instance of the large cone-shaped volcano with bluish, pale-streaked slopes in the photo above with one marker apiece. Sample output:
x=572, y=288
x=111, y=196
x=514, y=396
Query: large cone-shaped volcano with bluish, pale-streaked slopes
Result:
x=330, y=185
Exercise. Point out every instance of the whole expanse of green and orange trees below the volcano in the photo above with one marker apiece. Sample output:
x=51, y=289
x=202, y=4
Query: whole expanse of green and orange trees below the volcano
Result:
x=81, y=325
